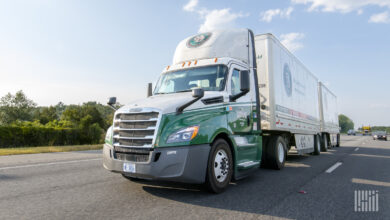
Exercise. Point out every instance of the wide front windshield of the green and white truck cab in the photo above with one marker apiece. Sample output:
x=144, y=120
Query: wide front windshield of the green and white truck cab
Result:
x=209, y=78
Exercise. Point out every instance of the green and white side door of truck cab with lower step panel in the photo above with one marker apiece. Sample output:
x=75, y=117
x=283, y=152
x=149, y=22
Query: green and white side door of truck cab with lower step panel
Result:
x=240, y=120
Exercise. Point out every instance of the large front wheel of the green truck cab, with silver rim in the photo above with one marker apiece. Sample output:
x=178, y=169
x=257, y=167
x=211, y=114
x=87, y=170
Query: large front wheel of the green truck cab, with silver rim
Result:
x=219, y=167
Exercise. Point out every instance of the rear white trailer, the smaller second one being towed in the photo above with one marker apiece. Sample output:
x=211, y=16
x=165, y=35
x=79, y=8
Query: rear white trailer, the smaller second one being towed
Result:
x=330, y=130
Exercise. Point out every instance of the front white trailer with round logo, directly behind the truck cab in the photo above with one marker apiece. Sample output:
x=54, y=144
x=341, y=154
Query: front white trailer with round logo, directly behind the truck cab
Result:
x=288, y=95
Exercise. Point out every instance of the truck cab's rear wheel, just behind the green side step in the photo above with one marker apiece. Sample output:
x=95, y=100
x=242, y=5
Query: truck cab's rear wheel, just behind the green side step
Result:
x=276, y=152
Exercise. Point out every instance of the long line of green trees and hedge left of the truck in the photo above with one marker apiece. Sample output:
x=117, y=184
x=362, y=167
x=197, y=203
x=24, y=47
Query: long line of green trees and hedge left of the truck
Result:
x=23, y=123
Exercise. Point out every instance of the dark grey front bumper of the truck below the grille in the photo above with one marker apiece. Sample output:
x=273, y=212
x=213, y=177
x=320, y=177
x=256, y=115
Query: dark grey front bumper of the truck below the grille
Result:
x=186, y=164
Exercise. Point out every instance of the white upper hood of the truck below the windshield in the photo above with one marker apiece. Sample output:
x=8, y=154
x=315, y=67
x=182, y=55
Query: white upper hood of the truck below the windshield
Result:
x=167, y=103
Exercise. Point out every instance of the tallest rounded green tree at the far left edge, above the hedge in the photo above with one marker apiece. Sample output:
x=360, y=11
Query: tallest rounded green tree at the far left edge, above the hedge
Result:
x=15, y=107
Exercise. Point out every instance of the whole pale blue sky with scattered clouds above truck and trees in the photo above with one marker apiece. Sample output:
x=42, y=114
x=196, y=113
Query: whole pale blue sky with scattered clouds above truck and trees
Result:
x=77, y=51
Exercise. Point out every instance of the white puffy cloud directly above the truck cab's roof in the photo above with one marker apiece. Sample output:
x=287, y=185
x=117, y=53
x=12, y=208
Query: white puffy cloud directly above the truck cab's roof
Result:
x=213, y=19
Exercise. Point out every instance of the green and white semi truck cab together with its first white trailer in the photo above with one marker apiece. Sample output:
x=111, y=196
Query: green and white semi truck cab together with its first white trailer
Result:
x=229, y=103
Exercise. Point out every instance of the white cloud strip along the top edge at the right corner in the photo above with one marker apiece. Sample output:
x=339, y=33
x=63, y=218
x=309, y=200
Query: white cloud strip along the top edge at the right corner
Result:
x=342, y=6
